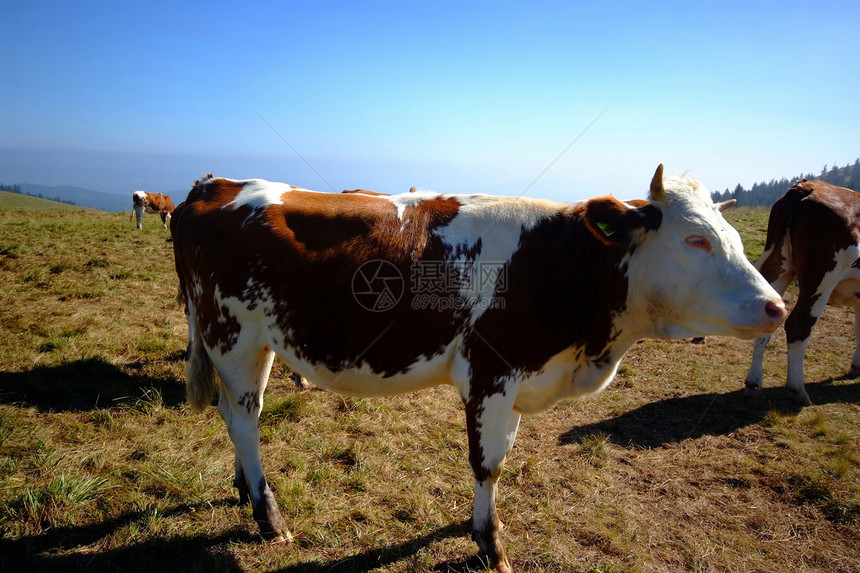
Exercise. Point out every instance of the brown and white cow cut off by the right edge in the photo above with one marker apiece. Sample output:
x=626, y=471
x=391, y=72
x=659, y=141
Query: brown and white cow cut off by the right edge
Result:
x=813, y=233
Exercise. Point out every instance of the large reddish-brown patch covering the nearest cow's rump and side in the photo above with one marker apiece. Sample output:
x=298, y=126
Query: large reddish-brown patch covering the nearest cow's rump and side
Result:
x=310, y=266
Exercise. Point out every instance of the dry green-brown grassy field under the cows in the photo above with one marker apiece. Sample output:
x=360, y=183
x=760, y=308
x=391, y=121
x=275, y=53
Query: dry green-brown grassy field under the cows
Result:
x=104, y=468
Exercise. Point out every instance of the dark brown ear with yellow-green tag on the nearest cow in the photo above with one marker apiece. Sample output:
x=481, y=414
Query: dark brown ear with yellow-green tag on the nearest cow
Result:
x=613, y=222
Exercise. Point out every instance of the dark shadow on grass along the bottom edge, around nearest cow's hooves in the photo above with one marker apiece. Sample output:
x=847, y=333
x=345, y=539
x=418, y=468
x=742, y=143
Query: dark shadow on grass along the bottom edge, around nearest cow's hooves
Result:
x=83, y=549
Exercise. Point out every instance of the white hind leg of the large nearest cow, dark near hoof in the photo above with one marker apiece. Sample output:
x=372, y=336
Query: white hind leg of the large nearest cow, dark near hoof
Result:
x=240, y=403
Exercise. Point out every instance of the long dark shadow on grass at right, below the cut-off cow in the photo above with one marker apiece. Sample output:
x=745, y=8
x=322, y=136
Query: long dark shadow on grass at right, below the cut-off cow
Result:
x=674, y=420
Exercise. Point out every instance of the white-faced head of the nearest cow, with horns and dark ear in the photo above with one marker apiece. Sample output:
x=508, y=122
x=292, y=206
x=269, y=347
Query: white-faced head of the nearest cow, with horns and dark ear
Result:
x=687, y=272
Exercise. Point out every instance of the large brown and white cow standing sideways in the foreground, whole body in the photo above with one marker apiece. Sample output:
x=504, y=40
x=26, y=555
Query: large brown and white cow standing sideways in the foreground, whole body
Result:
x=516, y=302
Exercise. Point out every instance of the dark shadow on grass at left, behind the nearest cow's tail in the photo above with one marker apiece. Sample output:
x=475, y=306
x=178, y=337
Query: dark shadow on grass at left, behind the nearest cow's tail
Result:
x=88, y=384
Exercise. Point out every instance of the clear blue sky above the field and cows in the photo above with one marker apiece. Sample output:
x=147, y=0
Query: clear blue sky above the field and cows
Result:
x=453, y=96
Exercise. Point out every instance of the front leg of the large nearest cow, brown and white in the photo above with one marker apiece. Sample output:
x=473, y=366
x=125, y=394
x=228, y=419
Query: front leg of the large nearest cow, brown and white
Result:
x=492, y=425
